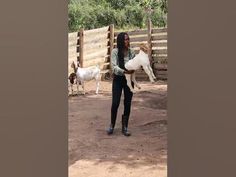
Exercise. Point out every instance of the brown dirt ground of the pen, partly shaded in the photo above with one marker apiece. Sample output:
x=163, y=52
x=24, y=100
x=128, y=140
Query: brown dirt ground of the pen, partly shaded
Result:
x=92, y=153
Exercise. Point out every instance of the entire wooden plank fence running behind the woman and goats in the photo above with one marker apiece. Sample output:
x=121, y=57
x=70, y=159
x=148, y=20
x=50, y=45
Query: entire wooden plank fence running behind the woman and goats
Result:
x=93, y=47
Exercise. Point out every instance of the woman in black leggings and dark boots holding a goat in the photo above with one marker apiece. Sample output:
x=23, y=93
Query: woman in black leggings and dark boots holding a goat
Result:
x=119, y=57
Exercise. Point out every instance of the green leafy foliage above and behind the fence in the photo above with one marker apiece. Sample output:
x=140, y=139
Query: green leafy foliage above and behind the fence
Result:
x=90, y=14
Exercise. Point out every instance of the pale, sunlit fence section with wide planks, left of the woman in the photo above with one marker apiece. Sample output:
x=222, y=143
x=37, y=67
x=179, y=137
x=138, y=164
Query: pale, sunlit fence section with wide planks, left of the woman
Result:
x=90, y=47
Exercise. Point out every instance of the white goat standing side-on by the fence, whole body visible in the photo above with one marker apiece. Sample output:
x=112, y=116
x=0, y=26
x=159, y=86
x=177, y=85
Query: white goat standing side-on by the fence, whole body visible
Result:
x=87, y=74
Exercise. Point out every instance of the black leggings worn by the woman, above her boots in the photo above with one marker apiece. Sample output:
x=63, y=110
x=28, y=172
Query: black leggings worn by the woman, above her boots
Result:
x=119, y=83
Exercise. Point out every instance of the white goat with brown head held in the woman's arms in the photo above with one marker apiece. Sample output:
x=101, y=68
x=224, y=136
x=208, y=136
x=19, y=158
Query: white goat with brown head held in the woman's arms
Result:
x=141, y=59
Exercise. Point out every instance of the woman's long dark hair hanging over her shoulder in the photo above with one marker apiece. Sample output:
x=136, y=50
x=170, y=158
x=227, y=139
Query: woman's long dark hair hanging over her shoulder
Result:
x=121, y=47
